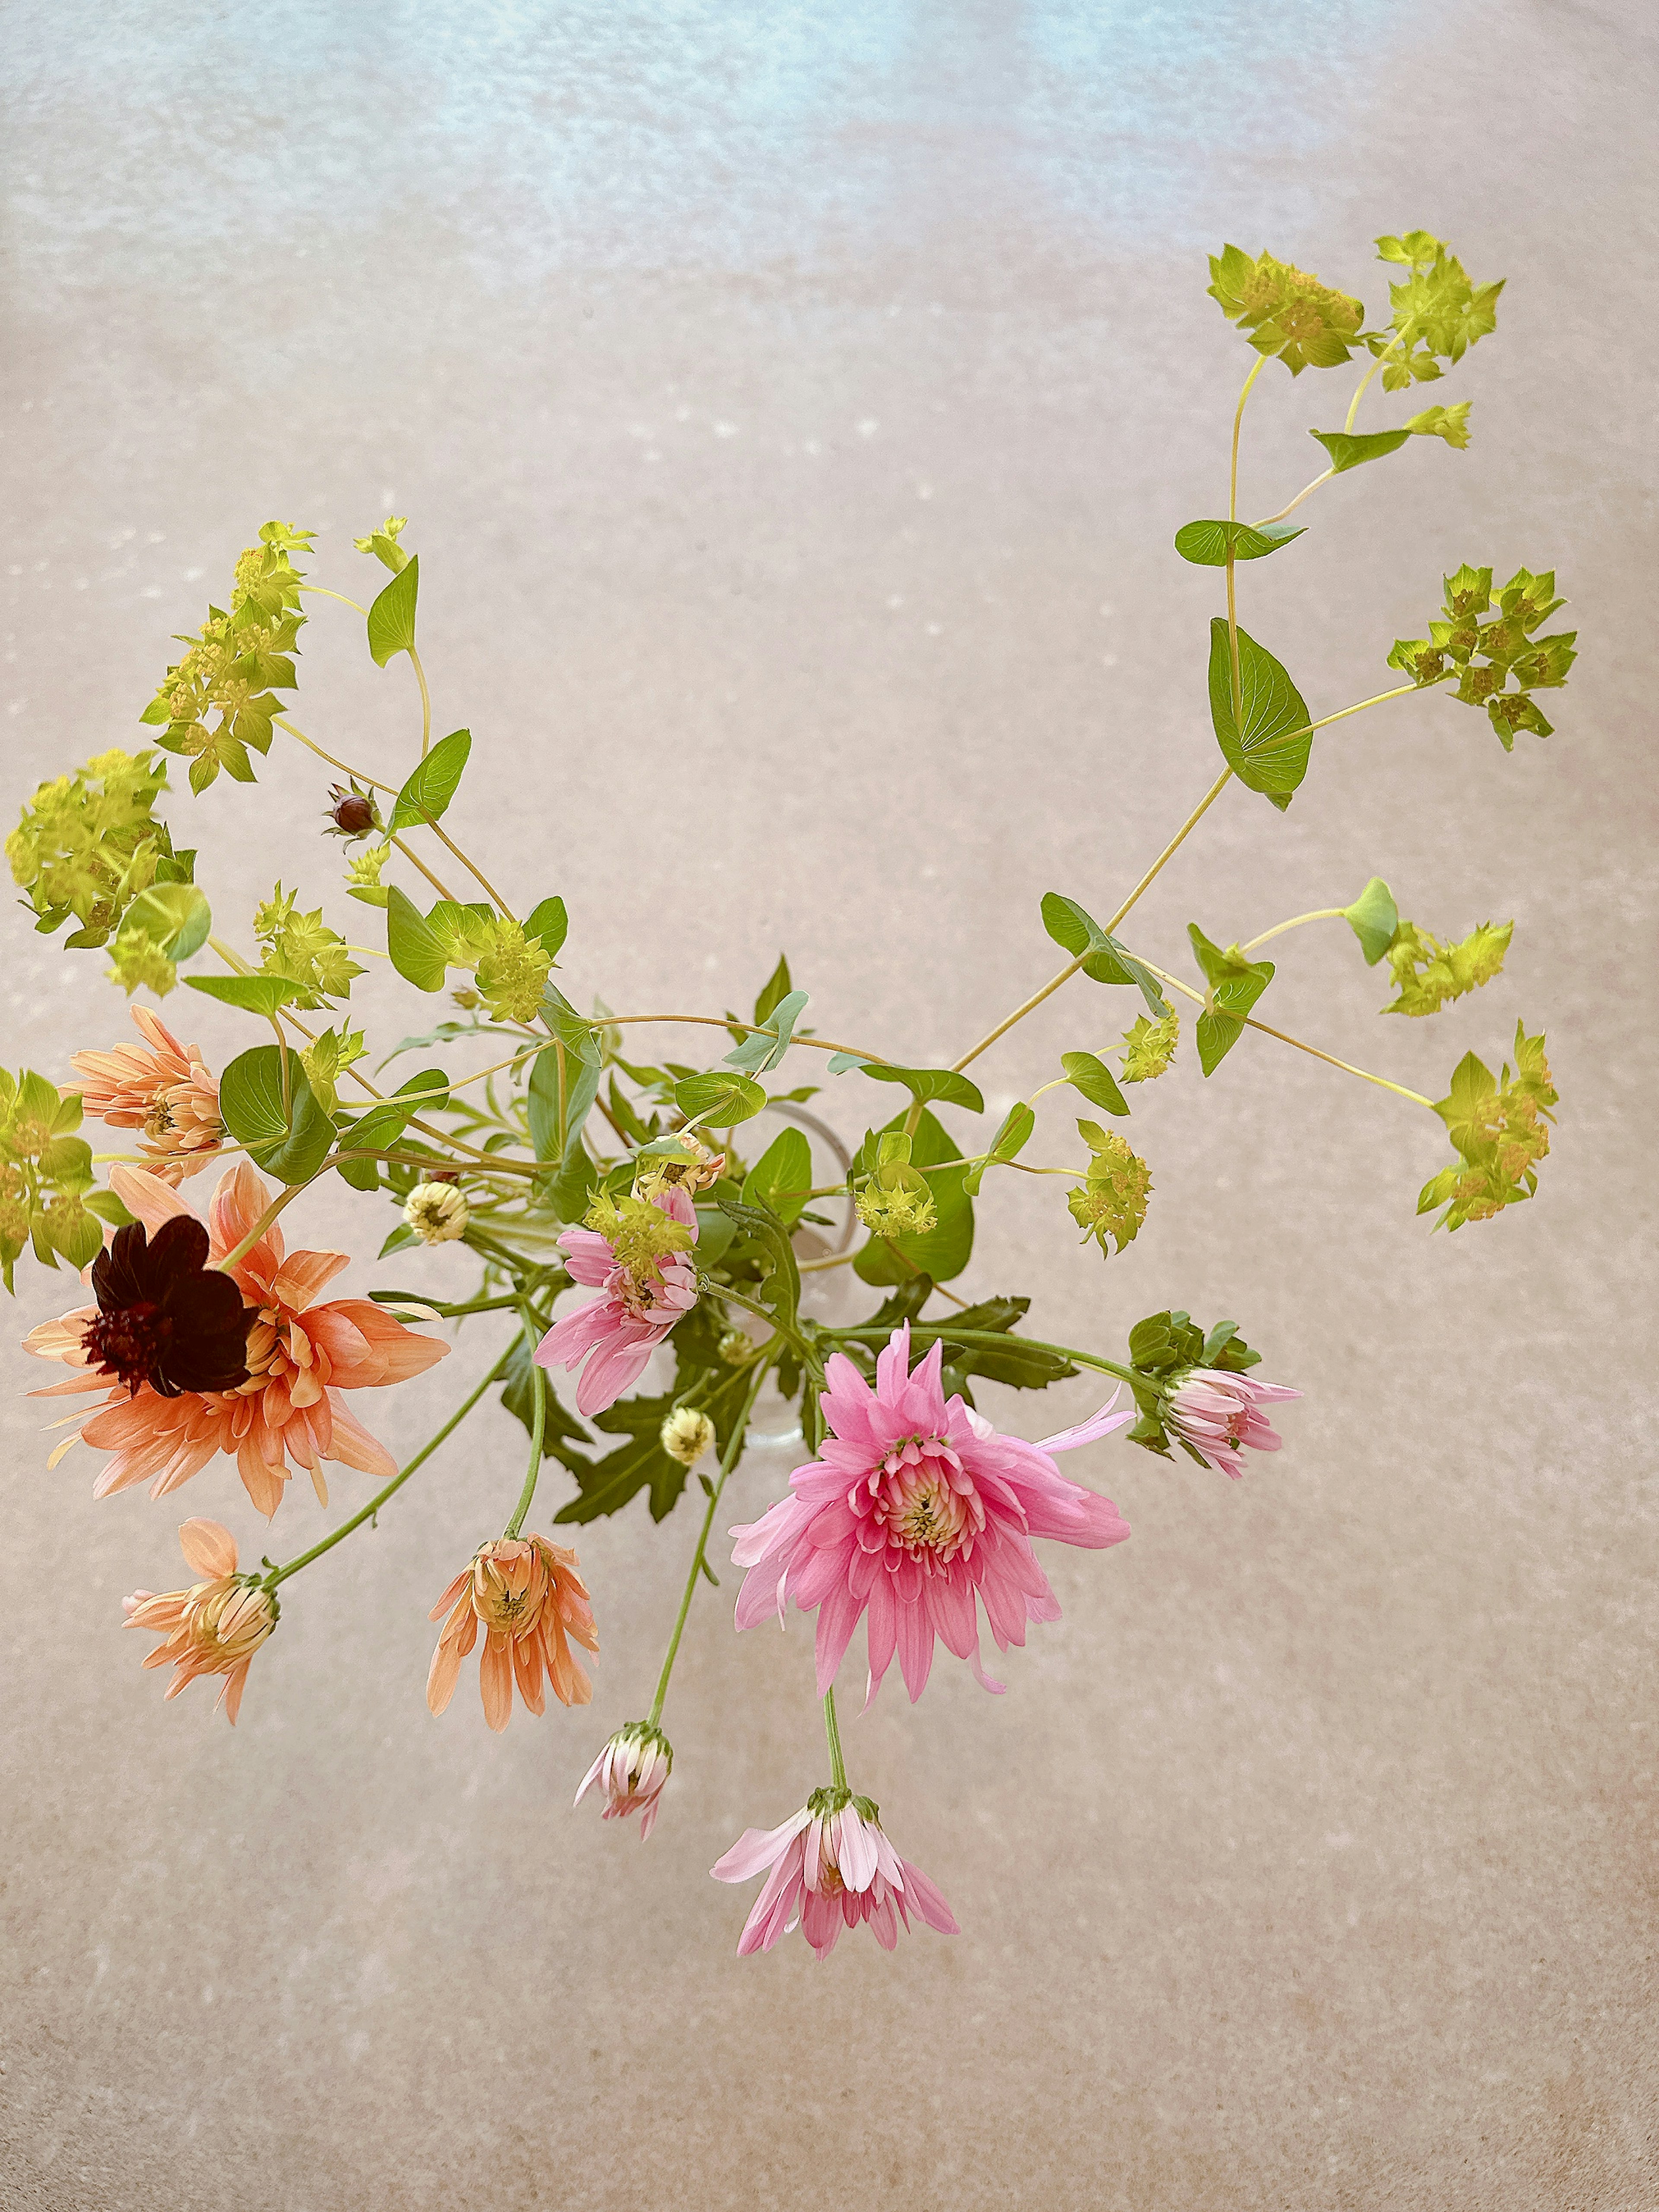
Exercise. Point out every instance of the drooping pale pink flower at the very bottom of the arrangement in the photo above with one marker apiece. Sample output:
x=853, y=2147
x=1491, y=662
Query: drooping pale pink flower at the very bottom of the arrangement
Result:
x=833, y=1868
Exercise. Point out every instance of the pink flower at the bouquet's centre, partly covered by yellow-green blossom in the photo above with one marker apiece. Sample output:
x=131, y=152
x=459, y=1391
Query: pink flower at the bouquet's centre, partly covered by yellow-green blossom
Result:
x=638, y=1251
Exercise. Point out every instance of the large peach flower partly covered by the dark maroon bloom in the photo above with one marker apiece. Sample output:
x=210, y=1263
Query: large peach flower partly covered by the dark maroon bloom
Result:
x=300, y=1361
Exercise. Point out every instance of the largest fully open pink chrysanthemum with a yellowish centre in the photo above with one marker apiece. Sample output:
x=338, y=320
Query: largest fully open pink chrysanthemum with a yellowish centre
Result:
x=917, y=1514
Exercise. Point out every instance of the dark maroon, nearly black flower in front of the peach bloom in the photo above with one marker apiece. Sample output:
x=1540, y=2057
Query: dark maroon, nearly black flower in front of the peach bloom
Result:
x=165, y=1317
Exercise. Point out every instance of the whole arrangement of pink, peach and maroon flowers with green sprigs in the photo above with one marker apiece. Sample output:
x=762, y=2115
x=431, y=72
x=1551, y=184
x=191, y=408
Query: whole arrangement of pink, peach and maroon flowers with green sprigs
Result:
x=574, y=1162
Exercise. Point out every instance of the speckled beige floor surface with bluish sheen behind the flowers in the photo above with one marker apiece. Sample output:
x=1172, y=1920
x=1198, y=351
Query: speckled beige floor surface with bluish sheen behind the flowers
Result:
x=795, y=408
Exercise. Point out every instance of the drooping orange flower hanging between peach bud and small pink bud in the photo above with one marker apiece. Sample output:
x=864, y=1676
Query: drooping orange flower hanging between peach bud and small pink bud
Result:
x=532, y=1603
